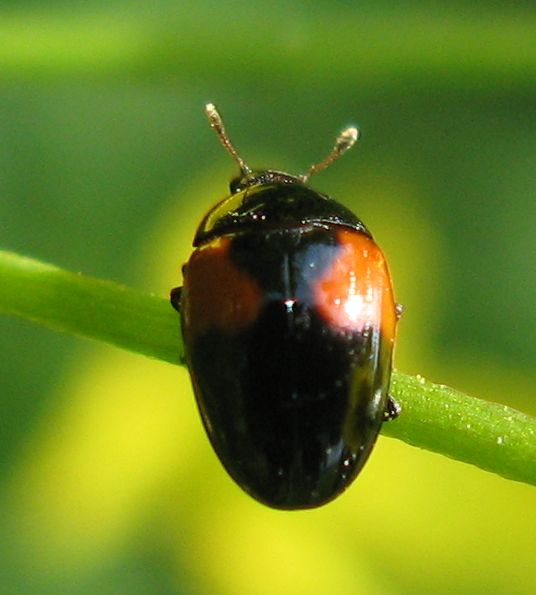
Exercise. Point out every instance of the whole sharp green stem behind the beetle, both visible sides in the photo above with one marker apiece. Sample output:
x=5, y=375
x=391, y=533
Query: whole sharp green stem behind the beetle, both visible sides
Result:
x=435, y=417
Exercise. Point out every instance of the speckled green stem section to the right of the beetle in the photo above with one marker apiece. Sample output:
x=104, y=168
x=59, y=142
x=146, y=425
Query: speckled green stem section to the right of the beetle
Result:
x=491, y=436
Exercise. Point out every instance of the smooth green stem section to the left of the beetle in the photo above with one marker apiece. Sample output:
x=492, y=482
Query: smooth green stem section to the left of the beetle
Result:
x=102, y=310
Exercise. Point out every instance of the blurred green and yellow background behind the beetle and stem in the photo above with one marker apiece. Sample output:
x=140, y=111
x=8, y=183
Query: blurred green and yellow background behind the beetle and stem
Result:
x=108, y=484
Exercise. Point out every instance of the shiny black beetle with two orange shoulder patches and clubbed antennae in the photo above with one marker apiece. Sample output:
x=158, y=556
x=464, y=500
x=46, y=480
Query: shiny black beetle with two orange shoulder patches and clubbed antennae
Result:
x=289, y=321
